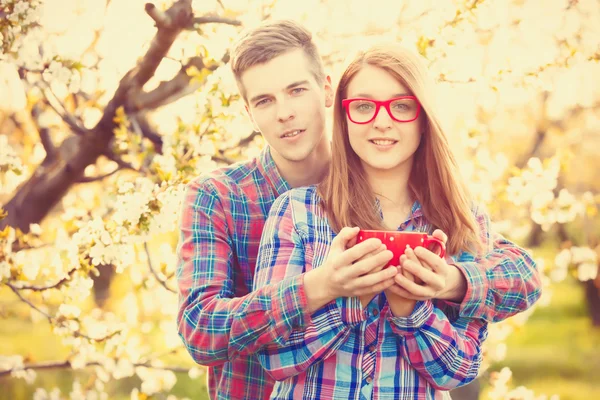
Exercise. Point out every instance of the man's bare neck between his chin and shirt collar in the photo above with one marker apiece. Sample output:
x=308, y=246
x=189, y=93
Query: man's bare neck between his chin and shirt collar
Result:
x=309, y=171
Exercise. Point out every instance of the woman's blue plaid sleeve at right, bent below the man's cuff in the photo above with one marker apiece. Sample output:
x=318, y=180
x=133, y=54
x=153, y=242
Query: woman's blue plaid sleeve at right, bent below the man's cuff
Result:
x=446, y=354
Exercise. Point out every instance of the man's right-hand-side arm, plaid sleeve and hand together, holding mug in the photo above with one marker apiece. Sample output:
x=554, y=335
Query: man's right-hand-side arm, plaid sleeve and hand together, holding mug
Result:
x=498, y=284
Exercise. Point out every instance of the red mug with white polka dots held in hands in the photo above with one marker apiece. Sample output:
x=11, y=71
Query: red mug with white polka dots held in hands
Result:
x=396, y=242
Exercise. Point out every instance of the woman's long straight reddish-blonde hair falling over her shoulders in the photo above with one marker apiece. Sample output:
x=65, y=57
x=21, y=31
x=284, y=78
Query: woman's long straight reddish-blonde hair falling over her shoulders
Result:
x=348, y=198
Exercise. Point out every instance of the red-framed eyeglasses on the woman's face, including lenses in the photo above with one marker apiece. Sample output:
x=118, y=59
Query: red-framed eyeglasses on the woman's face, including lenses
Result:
x=400, y=109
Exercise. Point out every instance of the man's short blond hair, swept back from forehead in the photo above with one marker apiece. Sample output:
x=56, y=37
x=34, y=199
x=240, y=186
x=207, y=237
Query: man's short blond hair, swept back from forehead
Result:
x=272, y=39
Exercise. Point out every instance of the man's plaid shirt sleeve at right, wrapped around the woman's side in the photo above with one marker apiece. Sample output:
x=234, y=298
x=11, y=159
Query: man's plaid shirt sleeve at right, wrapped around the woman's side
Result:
x=501, y=283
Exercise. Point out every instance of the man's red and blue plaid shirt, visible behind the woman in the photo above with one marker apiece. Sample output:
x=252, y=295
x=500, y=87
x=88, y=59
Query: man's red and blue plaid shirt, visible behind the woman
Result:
x=222, y=323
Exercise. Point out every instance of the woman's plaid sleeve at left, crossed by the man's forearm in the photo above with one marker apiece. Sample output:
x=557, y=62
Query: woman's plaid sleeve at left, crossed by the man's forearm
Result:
x=282, y=256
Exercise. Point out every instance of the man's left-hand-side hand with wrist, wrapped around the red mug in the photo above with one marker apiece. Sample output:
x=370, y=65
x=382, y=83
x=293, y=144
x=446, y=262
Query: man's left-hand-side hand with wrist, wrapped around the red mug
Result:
x=351, y=270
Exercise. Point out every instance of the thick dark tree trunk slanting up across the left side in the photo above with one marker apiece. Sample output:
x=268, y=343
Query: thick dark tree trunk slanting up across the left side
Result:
x=36, y=198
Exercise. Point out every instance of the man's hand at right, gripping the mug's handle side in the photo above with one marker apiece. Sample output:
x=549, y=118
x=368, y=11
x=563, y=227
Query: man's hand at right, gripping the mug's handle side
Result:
x=434, y=278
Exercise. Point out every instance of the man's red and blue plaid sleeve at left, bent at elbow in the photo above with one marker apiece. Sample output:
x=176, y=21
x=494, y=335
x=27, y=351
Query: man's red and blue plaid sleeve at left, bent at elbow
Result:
x=214, y=324
